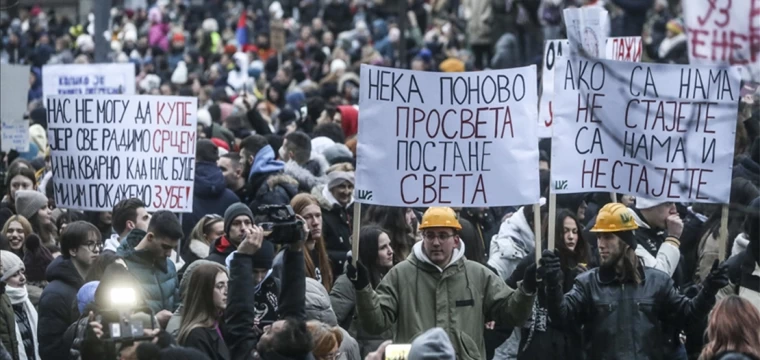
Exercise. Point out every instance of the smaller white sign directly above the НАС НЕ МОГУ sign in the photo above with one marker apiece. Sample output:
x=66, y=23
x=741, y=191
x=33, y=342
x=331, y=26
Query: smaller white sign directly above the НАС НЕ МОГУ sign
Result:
x=88, y=79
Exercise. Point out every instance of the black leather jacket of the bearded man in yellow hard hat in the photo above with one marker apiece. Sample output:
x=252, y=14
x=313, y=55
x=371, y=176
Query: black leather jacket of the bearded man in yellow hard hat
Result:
x=624, y=320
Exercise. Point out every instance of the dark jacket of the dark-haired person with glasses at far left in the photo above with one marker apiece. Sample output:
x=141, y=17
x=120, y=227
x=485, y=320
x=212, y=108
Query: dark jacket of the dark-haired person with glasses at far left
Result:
x=57, y=308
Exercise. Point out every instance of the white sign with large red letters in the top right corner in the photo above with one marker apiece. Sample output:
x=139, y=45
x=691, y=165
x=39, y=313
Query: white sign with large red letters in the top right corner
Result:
x=725, y=32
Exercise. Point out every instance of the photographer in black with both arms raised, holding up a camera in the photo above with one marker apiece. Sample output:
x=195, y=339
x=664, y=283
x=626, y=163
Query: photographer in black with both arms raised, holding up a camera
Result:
x=287, y=338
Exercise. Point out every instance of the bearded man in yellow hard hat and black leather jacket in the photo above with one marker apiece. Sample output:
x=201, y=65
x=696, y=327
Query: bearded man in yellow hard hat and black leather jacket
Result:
x=623, y=305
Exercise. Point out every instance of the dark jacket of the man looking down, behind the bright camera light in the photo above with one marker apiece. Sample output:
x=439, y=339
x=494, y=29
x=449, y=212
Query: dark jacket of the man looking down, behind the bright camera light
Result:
x=158, y=278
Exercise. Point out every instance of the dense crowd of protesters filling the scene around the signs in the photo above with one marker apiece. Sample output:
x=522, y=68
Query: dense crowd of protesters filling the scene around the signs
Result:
x=636, y=278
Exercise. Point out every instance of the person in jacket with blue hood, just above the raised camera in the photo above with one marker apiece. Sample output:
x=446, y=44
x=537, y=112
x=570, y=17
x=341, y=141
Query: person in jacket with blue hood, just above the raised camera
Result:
x=266, y=182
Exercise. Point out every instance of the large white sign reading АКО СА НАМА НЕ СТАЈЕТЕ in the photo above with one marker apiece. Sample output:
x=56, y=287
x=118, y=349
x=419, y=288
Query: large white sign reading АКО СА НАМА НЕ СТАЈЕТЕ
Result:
x=654, y=130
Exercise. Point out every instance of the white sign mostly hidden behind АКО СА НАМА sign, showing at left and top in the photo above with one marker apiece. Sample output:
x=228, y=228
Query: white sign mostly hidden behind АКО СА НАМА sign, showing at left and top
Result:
x=617, y=48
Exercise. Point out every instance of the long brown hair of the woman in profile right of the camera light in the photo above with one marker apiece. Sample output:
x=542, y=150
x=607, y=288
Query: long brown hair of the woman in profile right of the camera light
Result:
x=199, y=311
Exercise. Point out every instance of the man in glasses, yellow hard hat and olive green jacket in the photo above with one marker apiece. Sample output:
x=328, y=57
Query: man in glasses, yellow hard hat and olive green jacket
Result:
x=437, y=287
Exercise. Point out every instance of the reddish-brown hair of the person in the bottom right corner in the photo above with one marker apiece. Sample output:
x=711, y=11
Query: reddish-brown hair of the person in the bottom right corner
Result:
x=734, y=325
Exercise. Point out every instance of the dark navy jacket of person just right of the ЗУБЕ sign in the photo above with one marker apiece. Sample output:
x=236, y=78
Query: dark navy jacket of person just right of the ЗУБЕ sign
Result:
x=210, y=195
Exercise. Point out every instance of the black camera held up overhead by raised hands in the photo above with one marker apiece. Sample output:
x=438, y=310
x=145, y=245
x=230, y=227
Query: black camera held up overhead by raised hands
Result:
x=280, y=224
